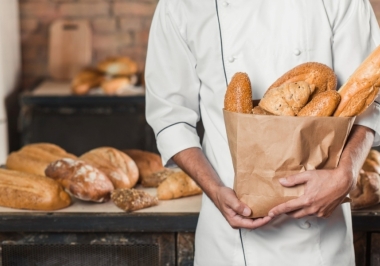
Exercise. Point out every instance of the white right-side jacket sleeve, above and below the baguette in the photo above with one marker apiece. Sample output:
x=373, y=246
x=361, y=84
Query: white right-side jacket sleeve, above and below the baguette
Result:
x=355, y=35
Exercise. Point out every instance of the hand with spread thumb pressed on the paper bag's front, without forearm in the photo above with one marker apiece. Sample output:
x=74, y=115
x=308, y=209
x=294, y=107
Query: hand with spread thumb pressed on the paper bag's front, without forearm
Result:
x=324, y=191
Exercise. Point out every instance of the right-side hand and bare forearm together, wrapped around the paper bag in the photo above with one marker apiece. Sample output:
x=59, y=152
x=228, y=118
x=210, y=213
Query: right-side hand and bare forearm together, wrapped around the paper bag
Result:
x=326, y=189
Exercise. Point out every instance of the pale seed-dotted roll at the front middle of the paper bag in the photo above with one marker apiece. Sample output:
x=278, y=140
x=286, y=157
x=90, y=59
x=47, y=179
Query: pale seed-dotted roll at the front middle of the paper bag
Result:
x=288, y=99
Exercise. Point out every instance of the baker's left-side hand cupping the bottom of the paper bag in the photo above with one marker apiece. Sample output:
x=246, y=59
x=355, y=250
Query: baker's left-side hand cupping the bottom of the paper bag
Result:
x=235, y=211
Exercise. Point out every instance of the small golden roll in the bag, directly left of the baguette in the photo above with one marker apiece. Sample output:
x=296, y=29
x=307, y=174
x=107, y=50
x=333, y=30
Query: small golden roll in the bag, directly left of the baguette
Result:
x=323, y=104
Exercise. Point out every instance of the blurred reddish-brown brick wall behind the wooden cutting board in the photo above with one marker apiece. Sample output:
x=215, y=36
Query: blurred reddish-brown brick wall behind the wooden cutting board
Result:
x=120, y=27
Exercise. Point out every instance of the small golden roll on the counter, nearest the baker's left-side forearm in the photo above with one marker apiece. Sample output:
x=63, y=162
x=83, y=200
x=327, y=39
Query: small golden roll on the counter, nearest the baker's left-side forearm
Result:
x=177, y=185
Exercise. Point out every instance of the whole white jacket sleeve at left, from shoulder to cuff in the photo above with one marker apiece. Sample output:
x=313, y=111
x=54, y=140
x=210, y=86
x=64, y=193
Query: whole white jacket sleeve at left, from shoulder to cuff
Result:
x=172, y=85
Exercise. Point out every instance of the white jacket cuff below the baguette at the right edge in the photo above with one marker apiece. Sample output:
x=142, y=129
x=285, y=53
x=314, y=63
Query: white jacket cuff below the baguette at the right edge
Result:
x=370, y=118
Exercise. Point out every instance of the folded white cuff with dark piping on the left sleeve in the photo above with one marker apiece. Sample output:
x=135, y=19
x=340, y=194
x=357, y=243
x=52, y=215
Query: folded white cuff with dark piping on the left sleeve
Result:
x=176, y=138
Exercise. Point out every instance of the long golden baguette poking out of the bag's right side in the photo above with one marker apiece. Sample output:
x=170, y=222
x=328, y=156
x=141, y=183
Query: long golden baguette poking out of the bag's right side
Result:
x=361, y=88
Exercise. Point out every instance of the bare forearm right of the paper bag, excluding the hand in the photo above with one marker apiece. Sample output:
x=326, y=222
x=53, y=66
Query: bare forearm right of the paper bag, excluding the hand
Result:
x=355, y=152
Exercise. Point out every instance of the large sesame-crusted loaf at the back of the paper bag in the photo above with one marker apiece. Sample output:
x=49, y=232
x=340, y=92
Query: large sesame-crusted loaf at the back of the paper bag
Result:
x=322, y=76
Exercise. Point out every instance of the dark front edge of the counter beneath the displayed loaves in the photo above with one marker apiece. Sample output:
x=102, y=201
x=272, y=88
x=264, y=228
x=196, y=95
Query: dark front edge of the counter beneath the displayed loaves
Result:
x=366, y=221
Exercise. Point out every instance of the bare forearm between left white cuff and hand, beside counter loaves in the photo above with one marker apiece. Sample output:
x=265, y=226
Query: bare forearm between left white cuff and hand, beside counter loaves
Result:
x=195, y=163
